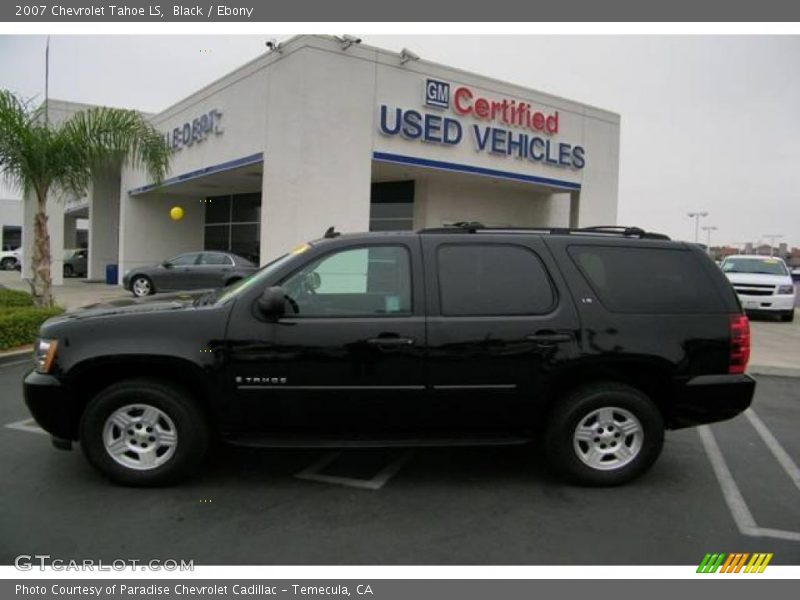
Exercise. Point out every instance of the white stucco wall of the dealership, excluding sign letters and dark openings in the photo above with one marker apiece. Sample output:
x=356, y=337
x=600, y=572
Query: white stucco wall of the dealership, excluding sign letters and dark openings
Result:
x=312, y=111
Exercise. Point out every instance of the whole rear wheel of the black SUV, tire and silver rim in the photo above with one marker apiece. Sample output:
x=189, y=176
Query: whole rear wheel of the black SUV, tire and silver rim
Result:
x=604, y=434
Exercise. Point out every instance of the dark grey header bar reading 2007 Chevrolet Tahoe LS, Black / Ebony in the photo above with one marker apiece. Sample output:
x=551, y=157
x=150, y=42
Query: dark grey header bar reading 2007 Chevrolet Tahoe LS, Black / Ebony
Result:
x=408, y=10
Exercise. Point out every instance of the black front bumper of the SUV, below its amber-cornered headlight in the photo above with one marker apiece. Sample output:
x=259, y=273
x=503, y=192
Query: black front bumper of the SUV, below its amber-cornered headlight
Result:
x=52, y=405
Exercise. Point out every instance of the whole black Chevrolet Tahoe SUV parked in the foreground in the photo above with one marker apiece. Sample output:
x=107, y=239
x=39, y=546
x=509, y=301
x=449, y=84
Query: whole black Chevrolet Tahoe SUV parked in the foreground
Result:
x=593, y=340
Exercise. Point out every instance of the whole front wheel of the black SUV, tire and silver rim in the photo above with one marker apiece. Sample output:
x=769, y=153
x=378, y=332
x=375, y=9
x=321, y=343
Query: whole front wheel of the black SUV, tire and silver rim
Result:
x=144, y=432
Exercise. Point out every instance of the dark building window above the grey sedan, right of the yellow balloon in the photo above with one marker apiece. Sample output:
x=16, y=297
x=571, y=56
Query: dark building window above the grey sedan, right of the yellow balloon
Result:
x=233, y=224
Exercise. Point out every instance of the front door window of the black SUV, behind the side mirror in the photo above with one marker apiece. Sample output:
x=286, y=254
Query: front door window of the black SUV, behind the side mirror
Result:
x=358, y=282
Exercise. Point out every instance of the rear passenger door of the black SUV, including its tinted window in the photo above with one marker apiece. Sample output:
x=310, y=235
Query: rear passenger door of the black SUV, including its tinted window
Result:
x=500, y=320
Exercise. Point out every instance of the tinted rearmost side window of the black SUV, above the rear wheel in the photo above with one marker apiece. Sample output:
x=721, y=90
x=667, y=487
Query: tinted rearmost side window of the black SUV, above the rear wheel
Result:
x=647, y=280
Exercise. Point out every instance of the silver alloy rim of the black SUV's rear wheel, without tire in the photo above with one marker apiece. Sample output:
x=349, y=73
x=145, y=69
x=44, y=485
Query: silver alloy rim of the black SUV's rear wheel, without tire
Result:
x=608, y=438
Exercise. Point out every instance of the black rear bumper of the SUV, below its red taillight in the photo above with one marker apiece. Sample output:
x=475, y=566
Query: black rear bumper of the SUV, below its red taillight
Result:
x=710, y=398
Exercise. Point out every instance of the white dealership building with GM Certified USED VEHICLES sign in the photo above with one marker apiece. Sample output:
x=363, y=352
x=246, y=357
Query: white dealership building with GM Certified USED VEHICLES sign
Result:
x=327, y=131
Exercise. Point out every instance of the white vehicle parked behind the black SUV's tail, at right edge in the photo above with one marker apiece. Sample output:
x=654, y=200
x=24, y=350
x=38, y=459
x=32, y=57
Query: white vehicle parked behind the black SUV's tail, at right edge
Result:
x=763, y=284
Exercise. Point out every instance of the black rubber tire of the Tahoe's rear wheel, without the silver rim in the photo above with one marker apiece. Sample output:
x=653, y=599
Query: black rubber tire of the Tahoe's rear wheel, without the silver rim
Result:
x=576, y=407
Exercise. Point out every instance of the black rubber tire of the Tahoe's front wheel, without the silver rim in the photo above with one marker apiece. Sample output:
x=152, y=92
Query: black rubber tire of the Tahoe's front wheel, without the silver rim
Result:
x=191, y=428
